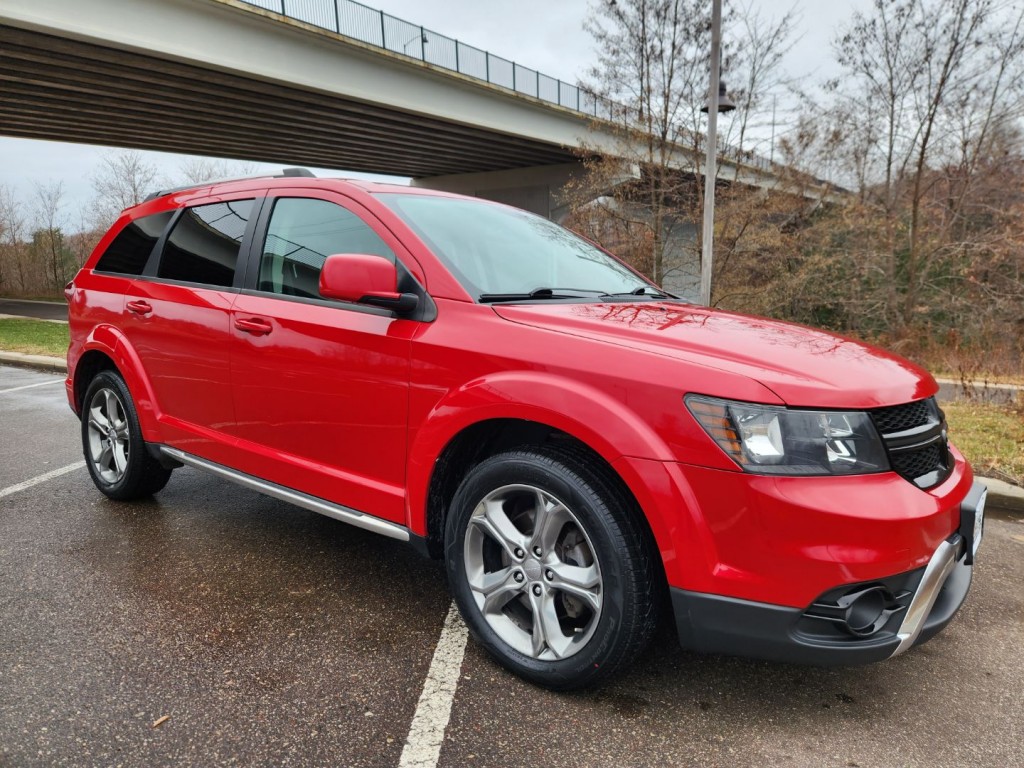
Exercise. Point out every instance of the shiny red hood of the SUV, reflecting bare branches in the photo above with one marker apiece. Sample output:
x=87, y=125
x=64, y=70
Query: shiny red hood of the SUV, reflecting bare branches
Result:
x=802, y=366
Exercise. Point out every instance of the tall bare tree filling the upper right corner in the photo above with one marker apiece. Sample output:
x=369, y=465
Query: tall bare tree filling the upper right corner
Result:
x=937, y=78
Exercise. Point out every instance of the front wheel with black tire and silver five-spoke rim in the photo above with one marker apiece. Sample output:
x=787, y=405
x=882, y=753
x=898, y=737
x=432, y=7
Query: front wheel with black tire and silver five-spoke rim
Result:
x=550, y=567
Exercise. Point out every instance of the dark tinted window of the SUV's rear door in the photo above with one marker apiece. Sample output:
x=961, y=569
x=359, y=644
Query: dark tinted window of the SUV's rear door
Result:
x=204, y=245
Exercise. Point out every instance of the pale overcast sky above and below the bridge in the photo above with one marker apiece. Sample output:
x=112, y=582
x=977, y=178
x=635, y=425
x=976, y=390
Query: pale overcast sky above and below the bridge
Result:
x=545, y=35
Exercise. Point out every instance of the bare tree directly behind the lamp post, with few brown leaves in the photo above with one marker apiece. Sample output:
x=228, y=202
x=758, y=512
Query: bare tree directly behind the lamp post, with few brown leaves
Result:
x=653, y=60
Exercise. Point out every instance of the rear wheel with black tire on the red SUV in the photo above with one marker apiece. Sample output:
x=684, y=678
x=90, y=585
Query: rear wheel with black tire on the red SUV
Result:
x=112, y=441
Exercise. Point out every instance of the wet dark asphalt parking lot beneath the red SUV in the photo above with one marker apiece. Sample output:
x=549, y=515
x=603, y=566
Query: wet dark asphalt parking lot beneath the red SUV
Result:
x=268, y=635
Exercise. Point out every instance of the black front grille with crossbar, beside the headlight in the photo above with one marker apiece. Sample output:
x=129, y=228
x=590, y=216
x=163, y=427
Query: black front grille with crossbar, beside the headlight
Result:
x=916, y=441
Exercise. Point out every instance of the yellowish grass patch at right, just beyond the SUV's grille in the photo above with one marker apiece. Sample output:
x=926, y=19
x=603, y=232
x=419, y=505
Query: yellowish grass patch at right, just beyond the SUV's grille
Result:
x=991, y=437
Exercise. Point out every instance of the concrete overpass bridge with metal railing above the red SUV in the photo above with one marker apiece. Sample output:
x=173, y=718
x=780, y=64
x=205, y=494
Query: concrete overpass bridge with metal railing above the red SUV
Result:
x=276, y=81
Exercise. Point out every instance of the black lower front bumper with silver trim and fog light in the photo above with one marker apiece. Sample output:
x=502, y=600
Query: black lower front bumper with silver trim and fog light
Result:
x=917, y=606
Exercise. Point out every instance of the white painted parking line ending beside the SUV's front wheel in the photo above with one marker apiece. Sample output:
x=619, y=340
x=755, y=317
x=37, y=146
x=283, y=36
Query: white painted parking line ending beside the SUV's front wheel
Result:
x=423, y=747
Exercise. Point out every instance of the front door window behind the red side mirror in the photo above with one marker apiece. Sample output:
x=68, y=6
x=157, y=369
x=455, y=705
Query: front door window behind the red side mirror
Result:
x=302, y=235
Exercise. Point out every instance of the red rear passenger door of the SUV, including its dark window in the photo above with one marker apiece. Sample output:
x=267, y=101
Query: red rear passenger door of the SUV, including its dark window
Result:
x=177, y=319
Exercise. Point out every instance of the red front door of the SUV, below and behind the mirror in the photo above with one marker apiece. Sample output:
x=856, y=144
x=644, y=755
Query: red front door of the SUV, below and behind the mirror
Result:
x=321, y=388
